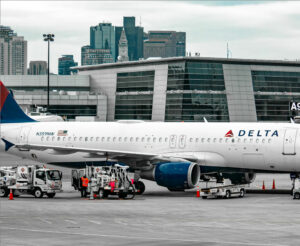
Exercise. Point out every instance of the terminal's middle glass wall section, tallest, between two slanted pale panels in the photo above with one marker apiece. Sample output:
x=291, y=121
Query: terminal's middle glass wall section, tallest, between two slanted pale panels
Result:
x=196, y=90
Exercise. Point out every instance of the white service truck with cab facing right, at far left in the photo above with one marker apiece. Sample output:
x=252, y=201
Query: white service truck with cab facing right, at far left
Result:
x=30, y=179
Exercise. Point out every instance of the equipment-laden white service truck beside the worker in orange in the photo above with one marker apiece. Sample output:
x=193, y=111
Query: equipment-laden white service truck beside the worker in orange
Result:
x=105, y=181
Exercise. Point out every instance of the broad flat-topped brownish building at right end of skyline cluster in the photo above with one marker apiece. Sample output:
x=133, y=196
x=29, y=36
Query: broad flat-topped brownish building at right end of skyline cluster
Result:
x=165, y=44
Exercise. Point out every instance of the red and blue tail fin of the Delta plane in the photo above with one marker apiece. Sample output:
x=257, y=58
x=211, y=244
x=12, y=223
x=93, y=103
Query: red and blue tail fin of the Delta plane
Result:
x=10, y=111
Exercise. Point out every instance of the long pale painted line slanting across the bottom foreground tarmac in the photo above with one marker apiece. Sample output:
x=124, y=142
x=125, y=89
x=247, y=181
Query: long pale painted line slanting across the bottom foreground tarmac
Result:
x=141, y=238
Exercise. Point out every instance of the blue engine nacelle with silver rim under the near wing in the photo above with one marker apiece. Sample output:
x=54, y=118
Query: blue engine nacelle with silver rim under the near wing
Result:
x=174, y=175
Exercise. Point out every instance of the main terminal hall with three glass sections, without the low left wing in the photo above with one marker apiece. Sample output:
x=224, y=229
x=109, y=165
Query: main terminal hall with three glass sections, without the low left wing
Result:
x=190, y=88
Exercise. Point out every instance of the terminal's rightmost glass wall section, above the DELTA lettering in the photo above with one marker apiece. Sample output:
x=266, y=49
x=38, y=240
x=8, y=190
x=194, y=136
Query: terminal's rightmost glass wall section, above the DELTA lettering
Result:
x=273, y=92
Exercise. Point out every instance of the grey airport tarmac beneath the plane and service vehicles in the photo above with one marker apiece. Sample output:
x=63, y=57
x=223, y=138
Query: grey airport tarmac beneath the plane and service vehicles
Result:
x=158, y=217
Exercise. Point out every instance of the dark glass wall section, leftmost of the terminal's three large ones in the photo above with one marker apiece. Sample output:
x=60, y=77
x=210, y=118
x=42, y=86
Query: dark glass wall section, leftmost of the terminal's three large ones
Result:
x=134, y=95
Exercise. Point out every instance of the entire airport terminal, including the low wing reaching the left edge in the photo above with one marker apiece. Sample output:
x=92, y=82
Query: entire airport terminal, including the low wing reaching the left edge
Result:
x=169, y=89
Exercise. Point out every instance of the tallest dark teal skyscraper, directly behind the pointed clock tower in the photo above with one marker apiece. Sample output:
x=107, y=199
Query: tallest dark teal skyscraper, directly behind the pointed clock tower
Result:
x=134, y=35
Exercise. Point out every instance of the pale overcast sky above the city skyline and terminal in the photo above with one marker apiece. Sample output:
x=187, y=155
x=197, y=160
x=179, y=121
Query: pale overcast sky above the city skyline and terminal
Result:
x=253, y=29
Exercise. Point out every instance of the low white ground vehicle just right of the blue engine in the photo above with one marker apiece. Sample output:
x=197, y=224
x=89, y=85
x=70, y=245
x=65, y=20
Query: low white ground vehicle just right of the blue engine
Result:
x=224, y=189
